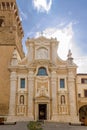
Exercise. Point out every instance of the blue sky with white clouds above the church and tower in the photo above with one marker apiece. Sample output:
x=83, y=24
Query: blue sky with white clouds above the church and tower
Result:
x=64, y=19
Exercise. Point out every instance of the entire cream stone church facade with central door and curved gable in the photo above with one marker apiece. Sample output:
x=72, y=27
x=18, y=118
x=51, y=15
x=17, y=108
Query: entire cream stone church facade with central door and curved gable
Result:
x=49, y=84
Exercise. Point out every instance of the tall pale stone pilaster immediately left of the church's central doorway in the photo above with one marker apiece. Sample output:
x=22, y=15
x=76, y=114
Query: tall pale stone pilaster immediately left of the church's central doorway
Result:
x=30, y=95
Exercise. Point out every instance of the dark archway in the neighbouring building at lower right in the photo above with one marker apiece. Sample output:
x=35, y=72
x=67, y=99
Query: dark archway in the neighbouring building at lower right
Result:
x=83, y=113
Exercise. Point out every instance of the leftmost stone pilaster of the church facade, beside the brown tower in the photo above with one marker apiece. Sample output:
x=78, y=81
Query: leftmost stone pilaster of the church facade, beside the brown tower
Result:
x=12, y=104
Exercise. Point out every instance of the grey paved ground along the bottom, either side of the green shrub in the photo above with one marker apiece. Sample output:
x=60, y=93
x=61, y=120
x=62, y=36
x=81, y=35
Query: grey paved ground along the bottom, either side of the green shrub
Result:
x=46, y=126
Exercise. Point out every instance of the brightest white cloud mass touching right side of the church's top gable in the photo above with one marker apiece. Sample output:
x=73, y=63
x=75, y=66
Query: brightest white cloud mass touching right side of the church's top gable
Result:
x=64, y=36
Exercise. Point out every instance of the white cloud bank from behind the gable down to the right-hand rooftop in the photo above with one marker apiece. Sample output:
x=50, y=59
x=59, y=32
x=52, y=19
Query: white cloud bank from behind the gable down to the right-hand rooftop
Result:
x=65, y=36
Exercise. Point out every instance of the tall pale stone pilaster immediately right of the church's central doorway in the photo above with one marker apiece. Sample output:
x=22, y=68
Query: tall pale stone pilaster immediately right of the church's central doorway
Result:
x=54, y=95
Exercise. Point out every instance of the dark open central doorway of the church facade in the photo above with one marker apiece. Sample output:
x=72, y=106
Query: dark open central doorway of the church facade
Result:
x=42, y=111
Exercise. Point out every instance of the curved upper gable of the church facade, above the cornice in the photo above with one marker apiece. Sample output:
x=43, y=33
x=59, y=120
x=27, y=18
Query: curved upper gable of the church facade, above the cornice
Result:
x=43, y=51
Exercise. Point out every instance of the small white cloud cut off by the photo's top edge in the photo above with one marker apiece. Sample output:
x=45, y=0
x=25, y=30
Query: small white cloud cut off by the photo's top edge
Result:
x=42, y=5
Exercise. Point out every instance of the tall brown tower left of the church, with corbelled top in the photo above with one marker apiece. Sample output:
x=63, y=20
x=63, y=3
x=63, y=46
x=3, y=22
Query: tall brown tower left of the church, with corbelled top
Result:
x=11, y=34
